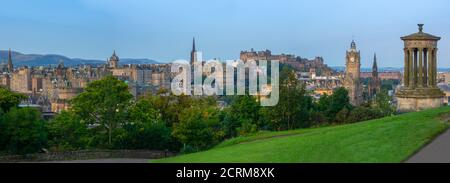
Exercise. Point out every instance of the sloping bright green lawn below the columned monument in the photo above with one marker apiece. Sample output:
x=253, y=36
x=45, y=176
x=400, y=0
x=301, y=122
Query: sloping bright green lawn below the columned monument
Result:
x=390, y=139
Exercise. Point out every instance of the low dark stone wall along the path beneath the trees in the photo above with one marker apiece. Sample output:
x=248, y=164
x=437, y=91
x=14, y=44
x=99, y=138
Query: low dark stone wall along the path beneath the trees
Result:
x=87, y=154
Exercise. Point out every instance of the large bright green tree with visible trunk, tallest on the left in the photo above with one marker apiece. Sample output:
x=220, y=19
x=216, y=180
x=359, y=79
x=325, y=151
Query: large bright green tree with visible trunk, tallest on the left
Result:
x=105, y=103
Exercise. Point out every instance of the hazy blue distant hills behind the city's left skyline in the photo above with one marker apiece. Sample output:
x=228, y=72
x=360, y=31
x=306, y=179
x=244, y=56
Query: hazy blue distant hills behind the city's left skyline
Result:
x=20, y=59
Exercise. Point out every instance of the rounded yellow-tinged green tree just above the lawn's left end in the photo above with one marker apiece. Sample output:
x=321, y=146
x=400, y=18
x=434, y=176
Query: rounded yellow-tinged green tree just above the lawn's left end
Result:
x=199, y=127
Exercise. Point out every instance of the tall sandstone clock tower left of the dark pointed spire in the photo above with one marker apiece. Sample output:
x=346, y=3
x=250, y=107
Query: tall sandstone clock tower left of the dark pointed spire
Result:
x=352, y=75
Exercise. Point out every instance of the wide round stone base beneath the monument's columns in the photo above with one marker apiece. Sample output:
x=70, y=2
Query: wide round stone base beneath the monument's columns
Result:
x=411, y=100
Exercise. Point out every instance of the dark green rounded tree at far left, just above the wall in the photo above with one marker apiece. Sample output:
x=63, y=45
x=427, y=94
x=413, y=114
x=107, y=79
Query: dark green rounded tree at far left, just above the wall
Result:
x=22, y=131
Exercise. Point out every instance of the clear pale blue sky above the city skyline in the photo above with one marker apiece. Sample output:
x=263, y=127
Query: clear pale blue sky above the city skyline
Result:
x=163, y=29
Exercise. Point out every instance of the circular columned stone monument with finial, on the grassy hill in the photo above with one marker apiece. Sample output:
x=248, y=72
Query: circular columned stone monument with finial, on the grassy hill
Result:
x=419, y=90
